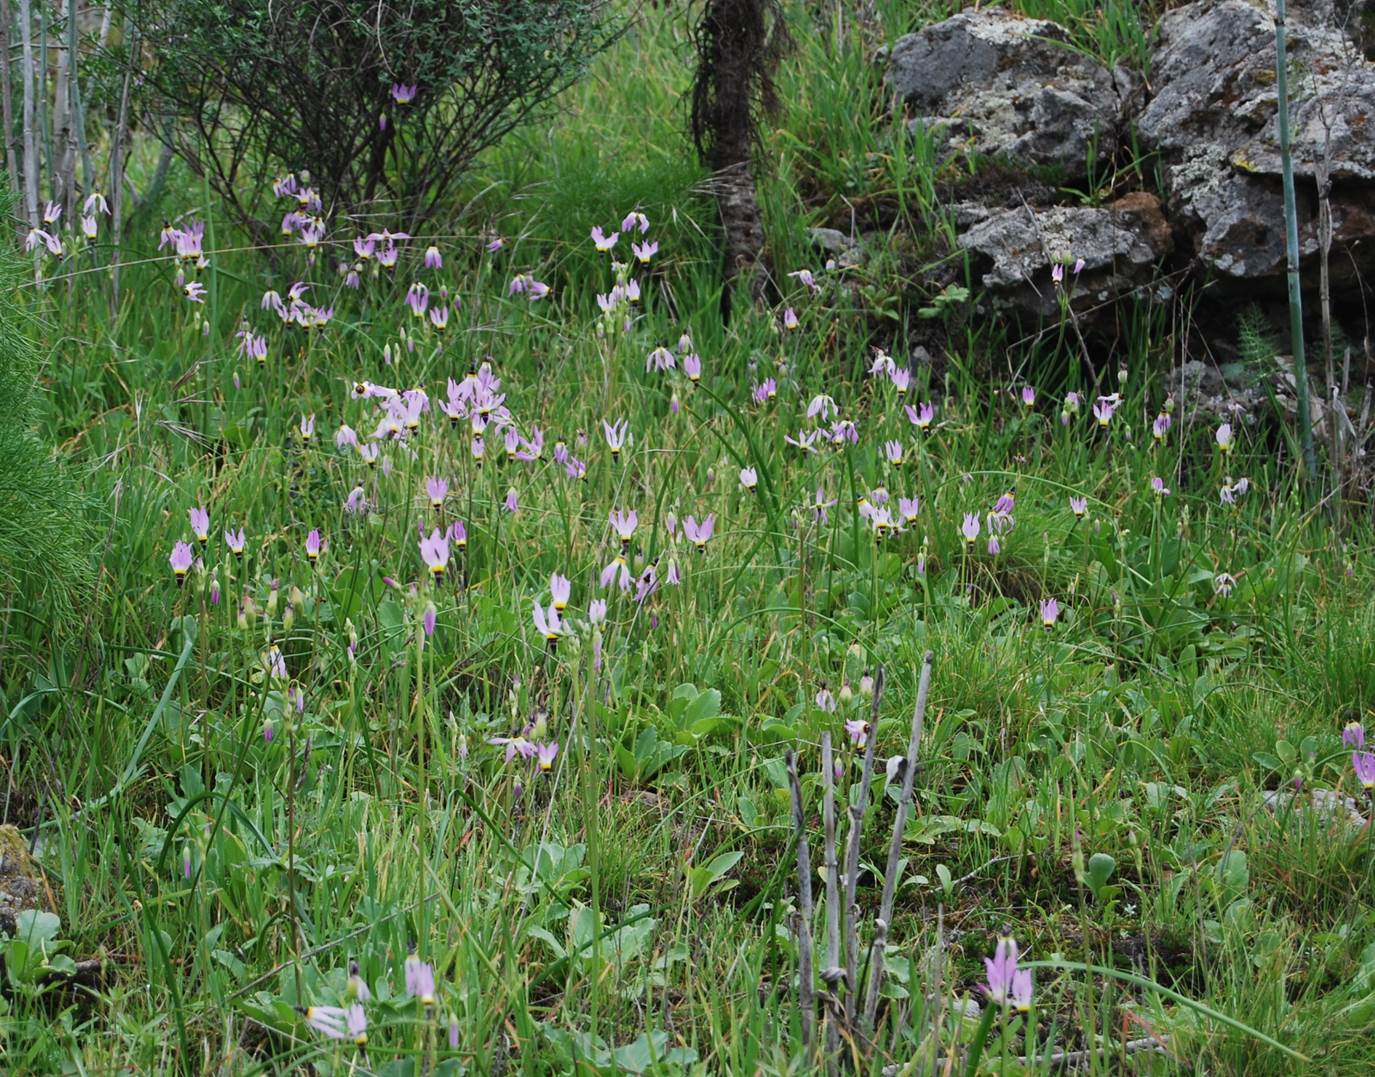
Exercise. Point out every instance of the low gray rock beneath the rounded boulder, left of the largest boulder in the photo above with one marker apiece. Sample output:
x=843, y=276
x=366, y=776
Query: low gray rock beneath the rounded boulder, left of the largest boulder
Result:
x=1015, y=252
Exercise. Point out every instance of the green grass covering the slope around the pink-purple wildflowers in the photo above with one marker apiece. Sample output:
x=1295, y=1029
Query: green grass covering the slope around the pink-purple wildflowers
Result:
x=597, y=918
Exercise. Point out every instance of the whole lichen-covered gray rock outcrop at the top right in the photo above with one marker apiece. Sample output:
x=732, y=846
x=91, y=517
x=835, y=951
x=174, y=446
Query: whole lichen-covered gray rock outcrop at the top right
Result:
x=1013, y=89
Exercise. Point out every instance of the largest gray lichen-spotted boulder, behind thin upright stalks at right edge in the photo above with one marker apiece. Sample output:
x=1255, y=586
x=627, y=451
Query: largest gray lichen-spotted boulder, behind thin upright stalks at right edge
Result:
x=1215, y=120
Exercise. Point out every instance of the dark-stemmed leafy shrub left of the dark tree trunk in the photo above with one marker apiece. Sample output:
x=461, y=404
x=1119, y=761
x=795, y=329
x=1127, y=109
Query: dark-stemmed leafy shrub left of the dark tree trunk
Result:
x=255, y=87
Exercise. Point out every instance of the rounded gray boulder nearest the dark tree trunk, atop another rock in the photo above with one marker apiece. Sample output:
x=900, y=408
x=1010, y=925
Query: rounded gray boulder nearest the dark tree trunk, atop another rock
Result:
x=1010, y=87
